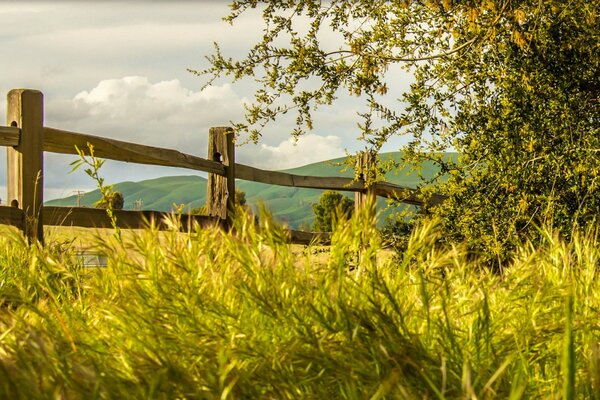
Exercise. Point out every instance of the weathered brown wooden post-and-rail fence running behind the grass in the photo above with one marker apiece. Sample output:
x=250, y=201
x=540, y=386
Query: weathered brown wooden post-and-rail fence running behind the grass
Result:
x=26, y=139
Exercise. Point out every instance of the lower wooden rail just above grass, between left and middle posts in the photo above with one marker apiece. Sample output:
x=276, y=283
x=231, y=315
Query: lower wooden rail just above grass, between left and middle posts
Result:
x=97, y=218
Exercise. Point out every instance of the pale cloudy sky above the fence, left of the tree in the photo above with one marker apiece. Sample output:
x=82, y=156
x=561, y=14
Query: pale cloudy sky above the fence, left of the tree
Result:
x=118, y=69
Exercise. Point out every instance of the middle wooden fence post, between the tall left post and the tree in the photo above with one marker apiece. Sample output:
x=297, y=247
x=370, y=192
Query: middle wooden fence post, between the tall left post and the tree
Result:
x=220, y=193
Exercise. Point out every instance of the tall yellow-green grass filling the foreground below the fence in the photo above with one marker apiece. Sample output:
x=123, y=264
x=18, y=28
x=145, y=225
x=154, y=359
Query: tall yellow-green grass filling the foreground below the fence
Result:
x=212, y=315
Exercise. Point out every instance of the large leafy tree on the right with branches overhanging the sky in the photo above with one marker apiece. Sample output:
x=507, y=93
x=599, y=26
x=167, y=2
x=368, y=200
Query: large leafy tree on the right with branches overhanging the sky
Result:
x=512, y=86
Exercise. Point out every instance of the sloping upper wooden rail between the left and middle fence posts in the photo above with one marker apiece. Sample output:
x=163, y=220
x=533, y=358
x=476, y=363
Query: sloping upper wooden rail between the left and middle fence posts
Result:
x=59, y=141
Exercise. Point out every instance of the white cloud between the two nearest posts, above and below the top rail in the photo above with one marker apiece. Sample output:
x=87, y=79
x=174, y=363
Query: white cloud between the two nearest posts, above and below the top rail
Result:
x=135, y=109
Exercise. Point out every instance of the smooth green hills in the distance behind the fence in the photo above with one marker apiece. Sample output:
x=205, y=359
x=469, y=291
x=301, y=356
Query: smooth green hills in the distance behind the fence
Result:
x=290, y=205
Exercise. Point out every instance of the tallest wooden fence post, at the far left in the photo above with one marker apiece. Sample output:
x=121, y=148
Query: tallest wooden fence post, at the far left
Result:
x=25, y=162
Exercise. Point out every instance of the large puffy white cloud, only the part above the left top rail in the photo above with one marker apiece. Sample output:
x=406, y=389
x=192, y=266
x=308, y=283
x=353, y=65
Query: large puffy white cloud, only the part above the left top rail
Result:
x=135, y=109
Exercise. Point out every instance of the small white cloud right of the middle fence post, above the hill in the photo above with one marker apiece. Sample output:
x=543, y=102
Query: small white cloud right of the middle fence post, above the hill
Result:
x=290, y=153
